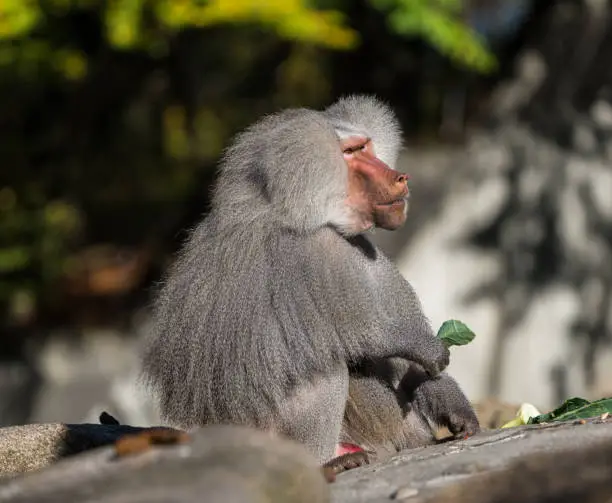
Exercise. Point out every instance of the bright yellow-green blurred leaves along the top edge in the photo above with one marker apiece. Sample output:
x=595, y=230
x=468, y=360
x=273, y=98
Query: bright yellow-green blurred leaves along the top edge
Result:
x=148, y=25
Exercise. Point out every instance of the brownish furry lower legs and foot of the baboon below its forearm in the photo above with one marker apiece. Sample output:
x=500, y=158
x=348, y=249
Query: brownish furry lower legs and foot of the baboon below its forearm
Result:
x=393, y=404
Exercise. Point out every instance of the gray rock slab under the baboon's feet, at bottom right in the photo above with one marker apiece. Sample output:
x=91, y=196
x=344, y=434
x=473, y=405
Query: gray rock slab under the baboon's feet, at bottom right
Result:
x=552, y=463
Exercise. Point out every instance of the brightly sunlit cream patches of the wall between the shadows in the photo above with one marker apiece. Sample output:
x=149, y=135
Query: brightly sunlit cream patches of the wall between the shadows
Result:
x=443, y=269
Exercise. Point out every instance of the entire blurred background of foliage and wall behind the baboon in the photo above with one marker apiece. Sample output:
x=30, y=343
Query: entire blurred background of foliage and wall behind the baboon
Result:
x=113, y=115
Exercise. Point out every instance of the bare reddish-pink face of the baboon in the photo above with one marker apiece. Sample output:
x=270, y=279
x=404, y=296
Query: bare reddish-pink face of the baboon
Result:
x=376, y=192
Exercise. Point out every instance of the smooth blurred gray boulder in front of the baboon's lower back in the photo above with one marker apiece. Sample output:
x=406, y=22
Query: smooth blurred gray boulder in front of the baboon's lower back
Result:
x=219, y=463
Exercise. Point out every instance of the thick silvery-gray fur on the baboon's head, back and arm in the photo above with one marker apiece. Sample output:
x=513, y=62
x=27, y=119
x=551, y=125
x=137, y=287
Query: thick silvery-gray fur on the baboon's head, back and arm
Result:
x=273, y=298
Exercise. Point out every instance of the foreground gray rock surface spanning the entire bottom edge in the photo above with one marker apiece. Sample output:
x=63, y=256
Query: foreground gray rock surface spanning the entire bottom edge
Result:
x=563, y=462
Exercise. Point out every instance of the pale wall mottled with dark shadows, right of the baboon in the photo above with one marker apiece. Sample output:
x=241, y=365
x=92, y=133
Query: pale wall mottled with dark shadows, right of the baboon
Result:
x=506, y=250
